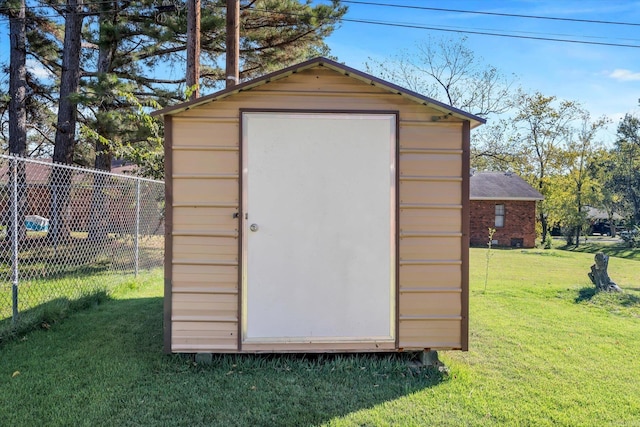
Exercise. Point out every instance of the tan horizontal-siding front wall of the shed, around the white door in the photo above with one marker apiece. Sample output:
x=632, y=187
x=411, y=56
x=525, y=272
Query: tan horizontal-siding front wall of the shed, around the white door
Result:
x=203, y=174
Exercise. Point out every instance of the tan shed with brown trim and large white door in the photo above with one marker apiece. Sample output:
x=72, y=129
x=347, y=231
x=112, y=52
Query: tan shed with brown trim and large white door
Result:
x=316, y=209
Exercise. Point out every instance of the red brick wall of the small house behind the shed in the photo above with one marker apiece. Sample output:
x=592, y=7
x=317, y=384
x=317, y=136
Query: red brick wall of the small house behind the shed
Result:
x=519, y=222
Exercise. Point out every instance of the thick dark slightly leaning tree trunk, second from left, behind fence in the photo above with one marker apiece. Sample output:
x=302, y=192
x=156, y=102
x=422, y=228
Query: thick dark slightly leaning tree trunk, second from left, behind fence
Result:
x=60, y=180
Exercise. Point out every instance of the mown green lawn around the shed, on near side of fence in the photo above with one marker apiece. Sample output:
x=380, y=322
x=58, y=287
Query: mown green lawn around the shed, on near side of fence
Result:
x=545, y=350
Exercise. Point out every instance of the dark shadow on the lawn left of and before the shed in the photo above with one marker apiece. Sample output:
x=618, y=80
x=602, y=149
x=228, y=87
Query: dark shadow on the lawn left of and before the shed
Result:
x=117, y=351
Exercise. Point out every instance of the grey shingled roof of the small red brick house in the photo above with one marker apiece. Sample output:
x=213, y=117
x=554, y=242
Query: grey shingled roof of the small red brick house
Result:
x=501, y=186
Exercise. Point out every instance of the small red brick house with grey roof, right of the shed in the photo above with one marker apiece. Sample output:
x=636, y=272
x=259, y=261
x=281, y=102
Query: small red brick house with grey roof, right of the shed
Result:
x=506, y=202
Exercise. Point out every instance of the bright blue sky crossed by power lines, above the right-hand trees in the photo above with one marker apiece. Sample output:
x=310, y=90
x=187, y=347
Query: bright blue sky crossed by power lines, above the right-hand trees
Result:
x=604, y=79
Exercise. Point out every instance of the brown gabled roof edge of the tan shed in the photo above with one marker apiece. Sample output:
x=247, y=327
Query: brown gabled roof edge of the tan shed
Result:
x=335, y=66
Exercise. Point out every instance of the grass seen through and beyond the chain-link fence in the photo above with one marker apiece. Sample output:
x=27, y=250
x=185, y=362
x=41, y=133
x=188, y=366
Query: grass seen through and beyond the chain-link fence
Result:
x=57, y=280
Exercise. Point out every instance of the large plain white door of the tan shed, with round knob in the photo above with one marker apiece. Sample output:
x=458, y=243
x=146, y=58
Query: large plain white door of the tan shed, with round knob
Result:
x=318, y=227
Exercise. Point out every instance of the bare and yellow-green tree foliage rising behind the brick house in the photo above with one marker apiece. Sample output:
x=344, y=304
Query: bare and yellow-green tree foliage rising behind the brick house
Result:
x=553, y=143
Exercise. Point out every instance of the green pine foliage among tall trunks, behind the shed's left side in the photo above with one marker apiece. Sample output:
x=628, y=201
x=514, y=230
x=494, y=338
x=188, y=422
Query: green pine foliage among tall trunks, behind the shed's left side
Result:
x=133, y=55
